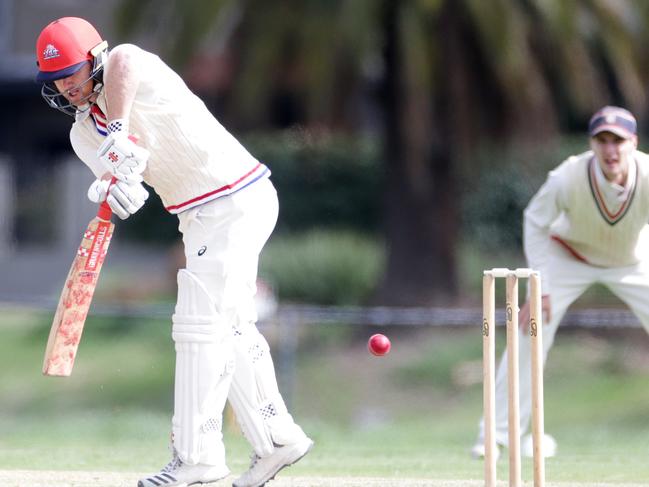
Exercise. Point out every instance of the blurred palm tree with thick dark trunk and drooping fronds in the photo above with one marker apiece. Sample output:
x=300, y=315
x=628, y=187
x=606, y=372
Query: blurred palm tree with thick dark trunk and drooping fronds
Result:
x=450, y=74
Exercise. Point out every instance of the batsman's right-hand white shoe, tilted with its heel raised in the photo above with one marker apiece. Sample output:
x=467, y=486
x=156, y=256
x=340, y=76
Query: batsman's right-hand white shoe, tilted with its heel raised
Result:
x=264, y=469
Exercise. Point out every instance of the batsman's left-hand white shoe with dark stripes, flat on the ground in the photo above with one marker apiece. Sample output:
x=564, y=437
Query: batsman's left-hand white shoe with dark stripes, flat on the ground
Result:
x=178, y=474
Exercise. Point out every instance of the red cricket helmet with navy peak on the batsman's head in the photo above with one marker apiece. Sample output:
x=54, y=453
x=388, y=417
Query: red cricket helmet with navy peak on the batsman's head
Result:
x=64, y=46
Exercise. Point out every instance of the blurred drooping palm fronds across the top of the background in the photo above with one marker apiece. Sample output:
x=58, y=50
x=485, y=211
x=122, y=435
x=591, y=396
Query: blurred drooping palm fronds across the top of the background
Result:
x=571, y=56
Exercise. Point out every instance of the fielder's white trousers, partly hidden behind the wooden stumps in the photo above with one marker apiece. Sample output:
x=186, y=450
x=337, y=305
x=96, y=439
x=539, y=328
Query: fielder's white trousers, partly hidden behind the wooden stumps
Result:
x=569, y=279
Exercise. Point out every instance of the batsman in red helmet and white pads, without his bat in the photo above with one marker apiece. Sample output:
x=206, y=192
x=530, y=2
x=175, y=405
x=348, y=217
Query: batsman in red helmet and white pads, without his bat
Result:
x=227, y=209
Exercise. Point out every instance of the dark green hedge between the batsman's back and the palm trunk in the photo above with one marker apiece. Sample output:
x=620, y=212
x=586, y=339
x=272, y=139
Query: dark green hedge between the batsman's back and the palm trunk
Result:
x=322, y=179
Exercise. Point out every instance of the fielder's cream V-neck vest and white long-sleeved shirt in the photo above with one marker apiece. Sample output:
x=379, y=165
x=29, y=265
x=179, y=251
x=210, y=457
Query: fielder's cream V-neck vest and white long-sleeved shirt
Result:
x=596, y=221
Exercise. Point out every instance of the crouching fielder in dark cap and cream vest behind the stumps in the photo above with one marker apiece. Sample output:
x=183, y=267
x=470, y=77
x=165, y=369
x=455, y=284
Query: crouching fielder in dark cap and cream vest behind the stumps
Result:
x=587, y=224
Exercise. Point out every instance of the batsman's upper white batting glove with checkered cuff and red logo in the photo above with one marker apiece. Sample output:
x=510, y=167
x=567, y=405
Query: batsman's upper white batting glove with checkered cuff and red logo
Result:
x=120, y=155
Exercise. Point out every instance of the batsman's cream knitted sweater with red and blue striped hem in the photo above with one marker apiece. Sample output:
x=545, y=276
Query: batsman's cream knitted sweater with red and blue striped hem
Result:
x=193, y=158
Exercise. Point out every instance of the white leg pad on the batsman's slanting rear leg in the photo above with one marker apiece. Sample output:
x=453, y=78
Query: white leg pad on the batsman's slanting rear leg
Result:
x=255, y=397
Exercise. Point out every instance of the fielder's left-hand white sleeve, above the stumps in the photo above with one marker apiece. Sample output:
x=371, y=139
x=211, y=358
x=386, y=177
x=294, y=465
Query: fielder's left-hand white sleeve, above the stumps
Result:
x=543, y=209
